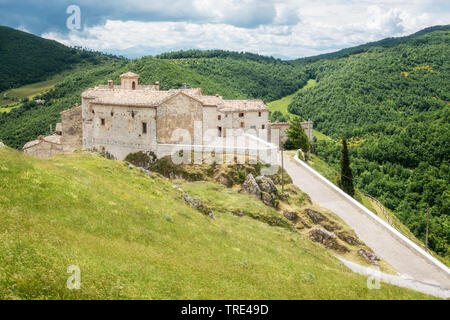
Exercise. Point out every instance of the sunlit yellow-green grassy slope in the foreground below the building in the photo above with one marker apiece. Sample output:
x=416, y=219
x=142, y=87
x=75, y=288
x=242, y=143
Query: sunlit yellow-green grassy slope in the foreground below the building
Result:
x=131, y=242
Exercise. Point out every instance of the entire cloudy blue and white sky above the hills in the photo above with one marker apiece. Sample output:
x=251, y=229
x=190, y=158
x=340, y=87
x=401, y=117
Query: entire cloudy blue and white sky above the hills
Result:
x=284, y=29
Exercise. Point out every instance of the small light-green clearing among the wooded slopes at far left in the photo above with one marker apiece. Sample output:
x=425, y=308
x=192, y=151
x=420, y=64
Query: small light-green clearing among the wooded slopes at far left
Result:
x=13, y=96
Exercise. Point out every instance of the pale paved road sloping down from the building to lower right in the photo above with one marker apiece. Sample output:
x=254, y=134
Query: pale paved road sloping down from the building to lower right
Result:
x=404, y=259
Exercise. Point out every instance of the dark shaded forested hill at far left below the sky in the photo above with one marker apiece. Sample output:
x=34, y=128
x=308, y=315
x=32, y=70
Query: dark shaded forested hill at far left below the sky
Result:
x=26, y=58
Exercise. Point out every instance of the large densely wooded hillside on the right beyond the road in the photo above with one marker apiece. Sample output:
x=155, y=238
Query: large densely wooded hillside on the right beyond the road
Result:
x=393, y=103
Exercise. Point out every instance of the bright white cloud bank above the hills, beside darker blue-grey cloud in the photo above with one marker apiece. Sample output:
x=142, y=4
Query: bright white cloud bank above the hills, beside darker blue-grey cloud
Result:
x=285, y=28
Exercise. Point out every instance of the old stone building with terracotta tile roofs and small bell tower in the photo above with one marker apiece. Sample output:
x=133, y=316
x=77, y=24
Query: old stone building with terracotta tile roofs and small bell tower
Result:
x=126, y=118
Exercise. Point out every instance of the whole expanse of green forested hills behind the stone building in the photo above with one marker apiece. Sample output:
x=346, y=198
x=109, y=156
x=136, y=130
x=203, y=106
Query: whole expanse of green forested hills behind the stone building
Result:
x=389, y=99
